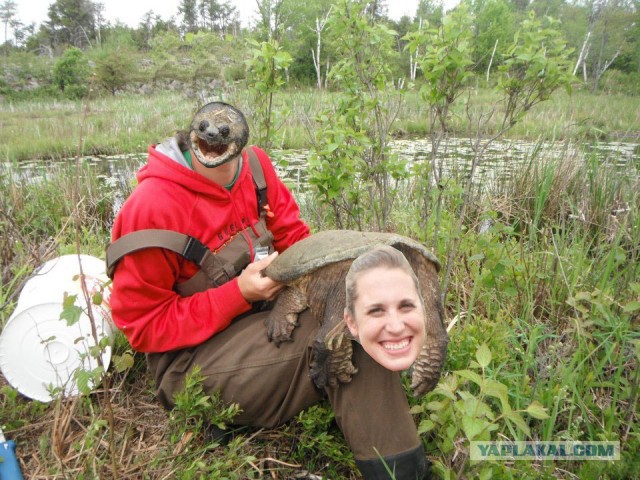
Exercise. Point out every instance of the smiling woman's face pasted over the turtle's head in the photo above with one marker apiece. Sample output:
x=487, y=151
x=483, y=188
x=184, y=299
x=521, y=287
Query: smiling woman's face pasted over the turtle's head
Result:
x=388, y=317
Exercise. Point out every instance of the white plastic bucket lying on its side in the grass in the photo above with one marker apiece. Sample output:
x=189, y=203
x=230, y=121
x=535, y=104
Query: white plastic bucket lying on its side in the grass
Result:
x=39, y=352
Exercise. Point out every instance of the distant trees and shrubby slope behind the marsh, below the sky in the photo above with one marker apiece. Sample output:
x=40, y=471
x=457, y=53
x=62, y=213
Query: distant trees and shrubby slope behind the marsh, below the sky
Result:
x=205, y=39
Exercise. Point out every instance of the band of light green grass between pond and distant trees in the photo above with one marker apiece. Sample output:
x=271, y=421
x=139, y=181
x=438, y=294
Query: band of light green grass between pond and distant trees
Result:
x=130, y=123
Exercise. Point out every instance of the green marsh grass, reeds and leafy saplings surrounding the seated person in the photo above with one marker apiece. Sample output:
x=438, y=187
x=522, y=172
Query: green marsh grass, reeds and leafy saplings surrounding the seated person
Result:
x=540, y=266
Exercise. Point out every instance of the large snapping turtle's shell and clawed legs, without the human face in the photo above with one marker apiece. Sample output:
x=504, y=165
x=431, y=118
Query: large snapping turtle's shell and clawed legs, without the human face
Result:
x=314, y=271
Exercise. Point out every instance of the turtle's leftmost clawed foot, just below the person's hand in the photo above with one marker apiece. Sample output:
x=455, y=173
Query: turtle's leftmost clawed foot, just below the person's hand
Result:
x=283, y=318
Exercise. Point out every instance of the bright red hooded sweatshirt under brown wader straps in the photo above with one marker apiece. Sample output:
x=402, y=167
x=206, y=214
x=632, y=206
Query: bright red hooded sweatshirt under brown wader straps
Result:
x=170, y=196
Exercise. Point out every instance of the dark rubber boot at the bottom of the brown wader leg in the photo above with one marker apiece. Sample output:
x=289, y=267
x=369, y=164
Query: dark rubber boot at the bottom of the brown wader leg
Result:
x=410, y=465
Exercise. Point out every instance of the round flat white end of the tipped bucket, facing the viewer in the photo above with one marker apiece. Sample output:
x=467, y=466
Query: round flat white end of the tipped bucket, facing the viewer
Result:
x=39, y=351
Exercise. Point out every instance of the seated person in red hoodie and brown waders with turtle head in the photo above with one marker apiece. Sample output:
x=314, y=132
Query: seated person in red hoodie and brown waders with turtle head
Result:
x=205, y=204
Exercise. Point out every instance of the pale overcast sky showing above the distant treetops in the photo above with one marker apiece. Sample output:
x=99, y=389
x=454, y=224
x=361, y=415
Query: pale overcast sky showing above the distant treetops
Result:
x=131, y=12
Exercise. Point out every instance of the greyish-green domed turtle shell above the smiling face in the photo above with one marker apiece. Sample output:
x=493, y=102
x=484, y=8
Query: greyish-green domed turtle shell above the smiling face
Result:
x=332, y=246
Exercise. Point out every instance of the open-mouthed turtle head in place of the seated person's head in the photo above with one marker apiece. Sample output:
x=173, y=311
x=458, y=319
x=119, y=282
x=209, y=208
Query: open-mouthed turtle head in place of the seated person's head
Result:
x=218, y=133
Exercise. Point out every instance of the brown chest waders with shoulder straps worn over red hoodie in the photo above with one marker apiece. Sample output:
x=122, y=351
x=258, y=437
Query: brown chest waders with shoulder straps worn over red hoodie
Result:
x=272, y=385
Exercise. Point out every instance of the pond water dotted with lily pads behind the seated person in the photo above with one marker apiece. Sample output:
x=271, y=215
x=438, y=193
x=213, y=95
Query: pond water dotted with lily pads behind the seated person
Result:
x=501, y=160
